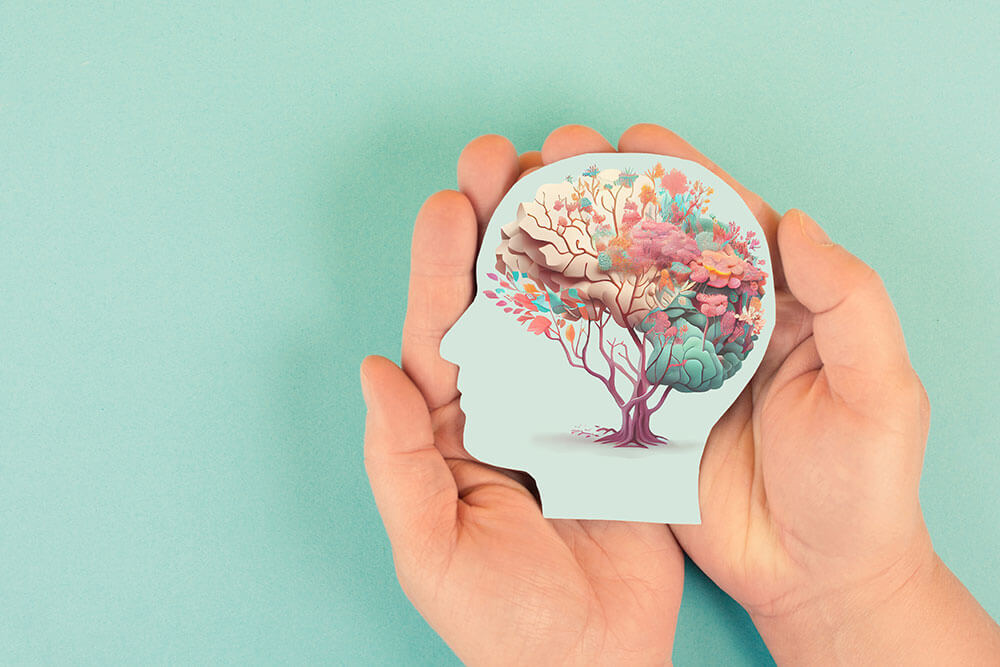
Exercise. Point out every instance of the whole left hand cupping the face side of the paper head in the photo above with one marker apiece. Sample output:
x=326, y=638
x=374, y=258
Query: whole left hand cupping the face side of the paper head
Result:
x=500, y=583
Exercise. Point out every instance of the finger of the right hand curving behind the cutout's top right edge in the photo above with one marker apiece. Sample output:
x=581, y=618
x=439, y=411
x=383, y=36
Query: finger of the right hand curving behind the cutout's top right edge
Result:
x=650, y=138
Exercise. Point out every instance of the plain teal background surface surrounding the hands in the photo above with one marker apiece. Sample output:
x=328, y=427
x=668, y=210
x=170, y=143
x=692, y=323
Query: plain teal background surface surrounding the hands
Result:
x=205, y=211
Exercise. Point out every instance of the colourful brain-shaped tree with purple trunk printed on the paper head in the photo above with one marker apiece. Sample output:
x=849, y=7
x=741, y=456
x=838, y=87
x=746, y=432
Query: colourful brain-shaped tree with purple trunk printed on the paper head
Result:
x=641, y=256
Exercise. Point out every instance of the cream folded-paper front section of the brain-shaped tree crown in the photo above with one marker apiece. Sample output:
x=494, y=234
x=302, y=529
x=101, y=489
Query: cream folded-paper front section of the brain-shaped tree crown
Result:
x=554, y=246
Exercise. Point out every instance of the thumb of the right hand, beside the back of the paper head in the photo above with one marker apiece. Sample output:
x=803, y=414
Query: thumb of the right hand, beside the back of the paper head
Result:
x=857, y=333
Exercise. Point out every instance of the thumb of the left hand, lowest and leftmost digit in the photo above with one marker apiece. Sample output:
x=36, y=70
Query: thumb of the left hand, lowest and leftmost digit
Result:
x=412, y=484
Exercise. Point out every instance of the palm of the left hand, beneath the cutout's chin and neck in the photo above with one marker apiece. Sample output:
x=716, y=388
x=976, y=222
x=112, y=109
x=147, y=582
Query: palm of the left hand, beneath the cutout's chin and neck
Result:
x=562, y=588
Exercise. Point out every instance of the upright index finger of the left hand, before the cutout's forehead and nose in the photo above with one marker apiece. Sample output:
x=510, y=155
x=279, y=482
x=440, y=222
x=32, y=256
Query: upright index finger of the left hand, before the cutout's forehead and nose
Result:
x=441, y=262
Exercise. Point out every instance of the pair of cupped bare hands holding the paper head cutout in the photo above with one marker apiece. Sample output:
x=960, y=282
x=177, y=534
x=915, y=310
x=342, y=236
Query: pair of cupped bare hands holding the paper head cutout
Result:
x=808, y=484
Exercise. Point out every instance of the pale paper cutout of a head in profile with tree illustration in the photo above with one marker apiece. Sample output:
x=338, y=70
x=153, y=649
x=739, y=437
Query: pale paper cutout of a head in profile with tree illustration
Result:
x=648, y=280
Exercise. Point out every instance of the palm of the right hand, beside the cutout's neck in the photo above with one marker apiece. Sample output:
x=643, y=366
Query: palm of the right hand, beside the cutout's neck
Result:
x=788, y=497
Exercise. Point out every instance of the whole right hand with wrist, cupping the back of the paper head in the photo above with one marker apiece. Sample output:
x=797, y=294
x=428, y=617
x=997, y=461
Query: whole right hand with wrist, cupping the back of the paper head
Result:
x=809, y=483
